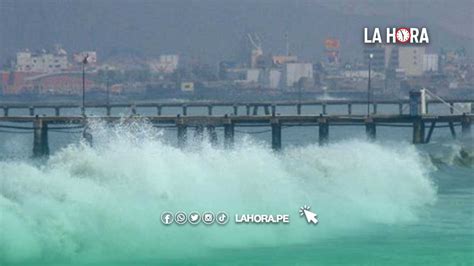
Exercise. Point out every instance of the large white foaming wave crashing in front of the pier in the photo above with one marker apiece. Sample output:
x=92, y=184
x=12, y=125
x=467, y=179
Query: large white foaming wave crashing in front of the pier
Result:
x=104, y=202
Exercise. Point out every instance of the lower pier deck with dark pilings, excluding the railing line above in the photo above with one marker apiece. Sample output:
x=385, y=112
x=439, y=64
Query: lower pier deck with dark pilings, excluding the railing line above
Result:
x=41, y=125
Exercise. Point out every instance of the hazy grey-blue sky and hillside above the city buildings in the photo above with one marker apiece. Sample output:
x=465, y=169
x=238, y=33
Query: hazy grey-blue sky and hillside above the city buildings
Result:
x=212, y=30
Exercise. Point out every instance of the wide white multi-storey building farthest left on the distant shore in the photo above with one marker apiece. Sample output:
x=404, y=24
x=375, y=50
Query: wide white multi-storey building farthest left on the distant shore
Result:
x=42, y=62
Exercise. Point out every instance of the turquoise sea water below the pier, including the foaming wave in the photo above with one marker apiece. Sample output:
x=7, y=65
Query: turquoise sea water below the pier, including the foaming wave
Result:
x=378, y=203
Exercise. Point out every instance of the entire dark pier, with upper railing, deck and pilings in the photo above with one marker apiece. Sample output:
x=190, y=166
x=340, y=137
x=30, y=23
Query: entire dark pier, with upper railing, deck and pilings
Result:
x=422, y=124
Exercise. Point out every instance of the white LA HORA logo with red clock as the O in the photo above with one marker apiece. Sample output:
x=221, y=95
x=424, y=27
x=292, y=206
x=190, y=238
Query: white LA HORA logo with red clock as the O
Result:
x=400, y=35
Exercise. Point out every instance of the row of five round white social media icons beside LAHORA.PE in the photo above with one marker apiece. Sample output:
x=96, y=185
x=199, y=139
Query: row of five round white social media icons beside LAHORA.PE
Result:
x=194, y=218
